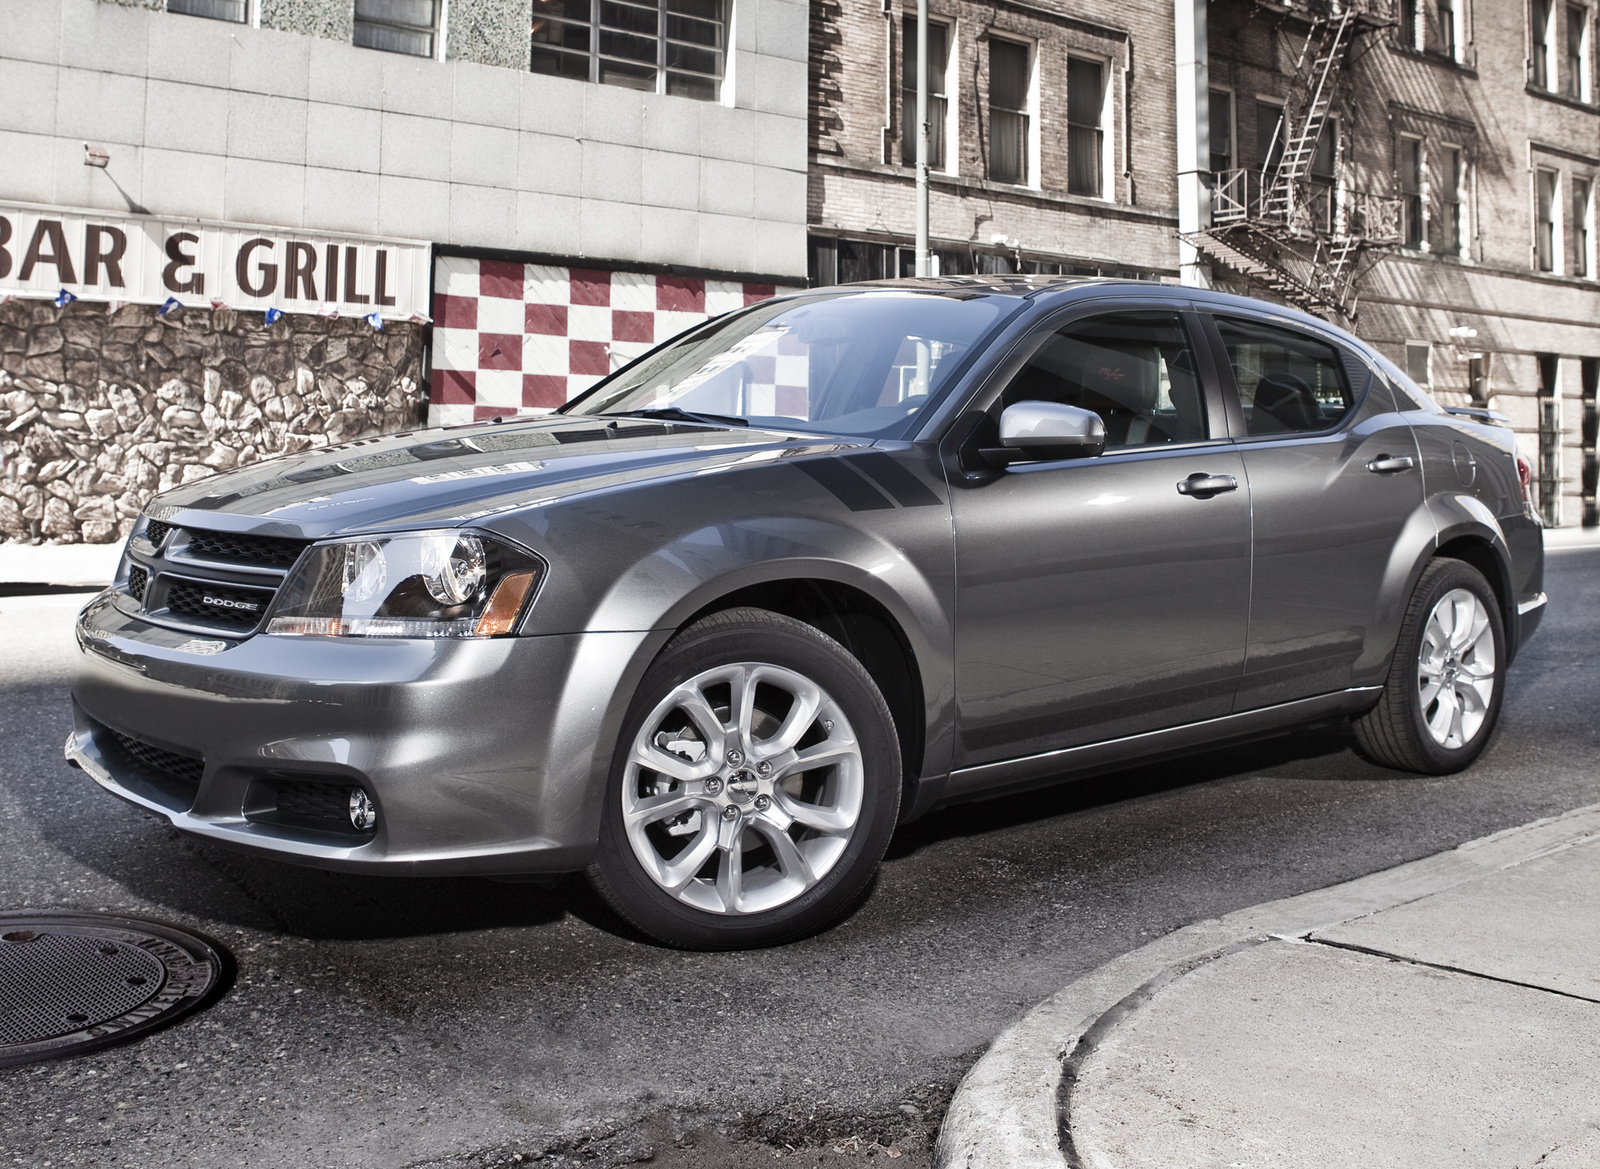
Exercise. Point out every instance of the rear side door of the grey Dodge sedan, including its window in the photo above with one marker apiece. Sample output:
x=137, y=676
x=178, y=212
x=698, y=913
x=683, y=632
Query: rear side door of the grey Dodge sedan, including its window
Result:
x=1335, y=477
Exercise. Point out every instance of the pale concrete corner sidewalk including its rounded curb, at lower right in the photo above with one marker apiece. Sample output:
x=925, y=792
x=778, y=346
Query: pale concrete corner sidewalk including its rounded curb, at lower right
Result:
x=1444, y=1013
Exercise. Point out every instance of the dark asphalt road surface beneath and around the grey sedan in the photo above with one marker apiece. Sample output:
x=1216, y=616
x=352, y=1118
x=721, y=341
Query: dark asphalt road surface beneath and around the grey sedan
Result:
x=393, y=1023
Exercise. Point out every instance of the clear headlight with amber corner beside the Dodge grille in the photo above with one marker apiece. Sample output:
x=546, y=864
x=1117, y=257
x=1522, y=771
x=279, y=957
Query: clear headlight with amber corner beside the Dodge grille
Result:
x=414, y=586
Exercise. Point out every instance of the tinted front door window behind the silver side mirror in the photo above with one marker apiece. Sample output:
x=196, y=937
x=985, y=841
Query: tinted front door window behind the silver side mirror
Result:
x=1135, y=370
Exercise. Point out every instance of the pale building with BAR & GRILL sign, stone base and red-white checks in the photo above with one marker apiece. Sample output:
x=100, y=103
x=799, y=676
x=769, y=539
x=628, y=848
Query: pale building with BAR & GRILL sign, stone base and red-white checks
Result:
x=514, y=162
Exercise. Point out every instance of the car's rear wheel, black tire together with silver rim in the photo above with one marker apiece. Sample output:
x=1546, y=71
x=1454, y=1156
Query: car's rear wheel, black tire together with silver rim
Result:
x=1434, y=716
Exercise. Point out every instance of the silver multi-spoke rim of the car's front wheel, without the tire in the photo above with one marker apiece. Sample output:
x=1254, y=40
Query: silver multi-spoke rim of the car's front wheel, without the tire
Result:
x=743, y=789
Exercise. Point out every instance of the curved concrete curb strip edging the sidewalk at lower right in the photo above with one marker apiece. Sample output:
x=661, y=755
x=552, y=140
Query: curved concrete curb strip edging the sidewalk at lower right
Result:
x=1006, y=1111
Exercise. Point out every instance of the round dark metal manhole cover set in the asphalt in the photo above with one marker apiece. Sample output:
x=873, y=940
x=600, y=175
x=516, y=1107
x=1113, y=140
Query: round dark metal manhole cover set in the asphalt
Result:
x=76, y=983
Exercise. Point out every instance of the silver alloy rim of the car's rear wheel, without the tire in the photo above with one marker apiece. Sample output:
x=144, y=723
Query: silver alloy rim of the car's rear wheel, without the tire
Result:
x=1457, y=669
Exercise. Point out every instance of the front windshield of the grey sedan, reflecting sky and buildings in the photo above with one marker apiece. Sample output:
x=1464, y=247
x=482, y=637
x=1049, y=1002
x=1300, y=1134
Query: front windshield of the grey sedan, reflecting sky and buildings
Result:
x=855, y=364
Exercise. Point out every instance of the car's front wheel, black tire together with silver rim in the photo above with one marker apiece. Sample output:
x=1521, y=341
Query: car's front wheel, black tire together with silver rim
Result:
x=716, y=834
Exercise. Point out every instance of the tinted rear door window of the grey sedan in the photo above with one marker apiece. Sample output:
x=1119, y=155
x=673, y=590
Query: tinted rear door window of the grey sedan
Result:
x=1287, y=381
